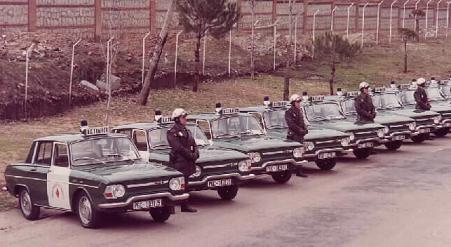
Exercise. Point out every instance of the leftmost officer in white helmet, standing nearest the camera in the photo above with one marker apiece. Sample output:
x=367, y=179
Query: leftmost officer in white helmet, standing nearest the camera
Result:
x=184, y=152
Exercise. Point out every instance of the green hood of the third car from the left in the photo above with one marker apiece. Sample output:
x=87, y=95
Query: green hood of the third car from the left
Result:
x=250, y=144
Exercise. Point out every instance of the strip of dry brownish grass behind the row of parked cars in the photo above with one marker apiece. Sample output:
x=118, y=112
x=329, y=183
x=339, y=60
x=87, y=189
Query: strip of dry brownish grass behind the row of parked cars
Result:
x=377, y=65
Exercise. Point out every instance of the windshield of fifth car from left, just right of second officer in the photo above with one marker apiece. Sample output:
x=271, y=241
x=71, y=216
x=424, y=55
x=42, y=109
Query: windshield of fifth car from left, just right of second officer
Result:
x=324, y=111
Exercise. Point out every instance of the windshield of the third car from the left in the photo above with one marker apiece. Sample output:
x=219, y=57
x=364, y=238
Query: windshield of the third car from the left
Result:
x=235, y=126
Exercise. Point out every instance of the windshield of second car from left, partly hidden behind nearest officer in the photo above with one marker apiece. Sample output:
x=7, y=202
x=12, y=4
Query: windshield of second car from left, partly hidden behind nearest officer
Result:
x=158, y=137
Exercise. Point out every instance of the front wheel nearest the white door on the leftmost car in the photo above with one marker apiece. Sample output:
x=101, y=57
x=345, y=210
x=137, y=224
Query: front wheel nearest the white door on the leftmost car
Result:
x=87, y=214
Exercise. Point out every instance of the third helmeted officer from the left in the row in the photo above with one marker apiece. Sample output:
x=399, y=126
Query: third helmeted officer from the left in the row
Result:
x=364, y=104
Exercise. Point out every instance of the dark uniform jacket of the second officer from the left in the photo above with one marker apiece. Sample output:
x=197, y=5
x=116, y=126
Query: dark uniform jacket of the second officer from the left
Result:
x=297, y=128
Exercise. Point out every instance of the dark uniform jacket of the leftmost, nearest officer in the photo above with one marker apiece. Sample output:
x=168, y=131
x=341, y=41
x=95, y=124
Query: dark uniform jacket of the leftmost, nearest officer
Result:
x=184, y=152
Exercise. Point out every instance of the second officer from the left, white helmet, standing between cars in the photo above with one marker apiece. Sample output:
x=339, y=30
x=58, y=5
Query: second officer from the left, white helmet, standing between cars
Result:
x=297, y=128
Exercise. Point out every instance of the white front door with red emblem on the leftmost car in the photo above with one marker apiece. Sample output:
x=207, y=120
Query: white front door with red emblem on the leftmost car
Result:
x=58, y=178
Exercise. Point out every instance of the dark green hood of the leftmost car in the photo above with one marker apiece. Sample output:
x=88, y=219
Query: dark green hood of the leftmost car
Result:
x=129, y=171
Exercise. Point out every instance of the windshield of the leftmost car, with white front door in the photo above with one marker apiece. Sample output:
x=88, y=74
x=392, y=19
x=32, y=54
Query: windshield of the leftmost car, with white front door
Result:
x=102, y=151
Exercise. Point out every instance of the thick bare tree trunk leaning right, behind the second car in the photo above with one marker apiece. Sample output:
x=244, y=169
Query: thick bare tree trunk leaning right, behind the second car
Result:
x=158, y=49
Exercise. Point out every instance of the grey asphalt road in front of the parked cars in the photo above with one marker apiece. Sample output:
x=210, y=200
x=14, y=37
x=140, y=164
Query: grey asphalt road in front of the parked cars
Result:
x=392, y=199
